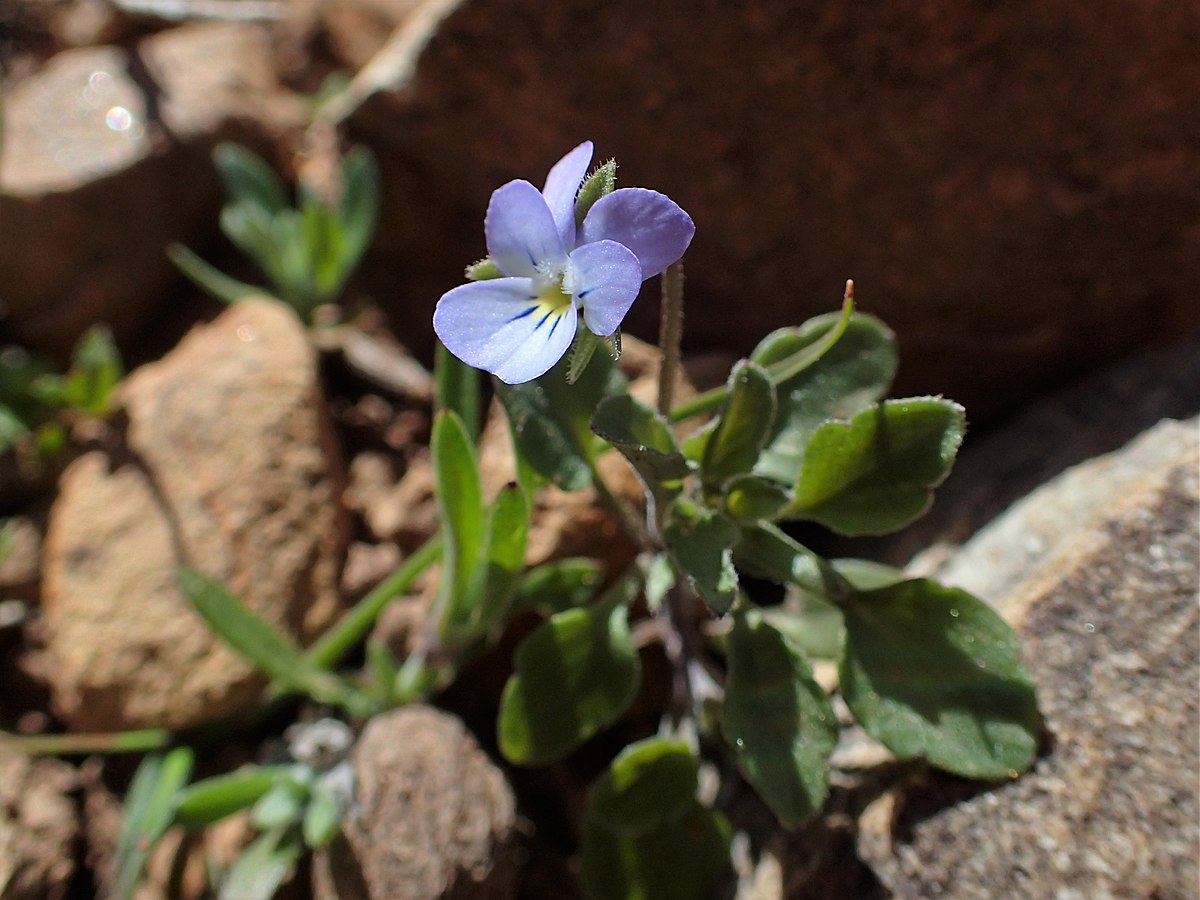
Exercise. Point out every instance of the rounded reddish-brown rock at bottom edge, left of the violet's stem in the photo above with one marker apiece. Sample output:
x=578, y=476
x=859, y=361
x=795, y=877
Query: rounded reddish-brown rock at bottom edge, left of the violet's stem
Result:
x=434, y=819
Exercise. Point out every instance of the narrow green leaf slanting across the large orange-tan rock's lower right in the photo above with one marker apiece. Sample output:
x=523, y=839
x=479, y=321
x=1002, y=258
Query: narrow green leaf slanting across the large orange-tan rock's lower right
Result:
x=265, y=647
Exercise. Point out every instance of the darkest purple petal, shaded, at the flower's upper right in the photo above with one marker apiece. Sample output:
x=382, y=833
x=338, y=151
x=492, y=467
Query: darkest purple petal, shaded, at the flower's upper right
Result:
x=650, y=224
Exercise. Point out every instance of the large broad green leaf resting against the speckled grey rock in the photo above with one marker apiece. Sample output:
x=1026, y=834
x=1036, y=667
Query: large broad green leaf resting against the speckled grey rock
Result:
x=933, y=671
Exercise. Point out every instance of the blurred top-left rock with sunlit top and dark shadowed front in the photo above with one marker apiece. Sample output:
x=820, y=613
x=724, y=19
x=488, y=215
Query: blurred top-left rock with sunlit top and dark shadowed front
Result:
x=107, y=161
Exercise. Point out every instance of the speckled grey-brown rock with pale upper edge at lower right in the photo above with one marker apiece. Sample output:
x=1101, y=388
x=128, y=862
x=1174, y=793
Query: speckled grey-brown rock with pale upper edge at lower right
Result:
x=1105, y=599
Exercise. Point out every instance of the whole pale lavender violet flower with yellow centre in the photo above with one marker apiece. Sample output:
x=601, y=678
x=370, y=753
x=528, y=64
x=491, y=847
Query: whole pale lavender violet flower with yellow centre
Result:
x=520, y=326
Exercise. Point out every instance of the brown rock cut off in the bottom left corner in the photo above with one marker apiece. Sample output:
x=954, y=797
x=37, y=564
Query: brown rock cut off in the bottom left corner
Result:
x=39, y=827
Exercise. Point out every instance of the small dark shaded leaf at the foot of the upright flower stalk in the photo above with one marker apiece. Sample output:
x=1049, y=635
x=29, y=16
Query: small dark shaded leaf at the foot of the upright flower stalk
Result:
x=644, y=439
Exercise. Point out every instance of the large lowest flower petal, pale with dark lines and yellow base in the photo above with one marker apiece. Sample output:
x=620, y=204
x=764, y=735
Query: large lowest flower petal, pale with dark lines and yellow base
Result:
x=502, y=327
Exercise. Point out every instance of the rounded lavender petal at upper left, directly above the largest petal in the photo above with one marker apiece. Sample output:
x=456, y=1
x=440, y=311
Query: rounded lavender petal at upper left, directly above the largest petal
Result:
x=521, y=231
